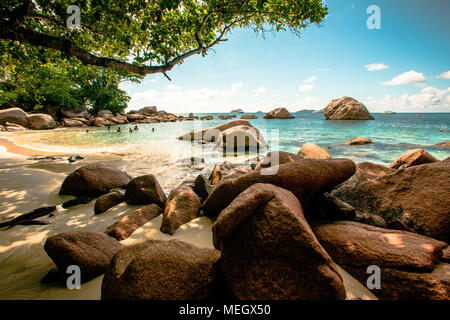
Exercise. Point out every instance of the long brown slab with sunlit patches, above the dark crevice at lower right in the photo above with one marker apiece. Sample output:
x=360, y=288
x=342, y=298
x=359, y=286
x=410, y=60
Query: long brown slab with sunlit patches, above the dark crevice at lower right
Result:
x=357, y=244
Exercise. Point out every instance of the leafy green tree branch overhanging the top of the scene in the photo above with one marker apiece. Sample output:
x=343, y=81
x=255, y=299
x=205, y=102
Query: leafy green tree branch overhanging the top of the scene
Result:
x=157, y=34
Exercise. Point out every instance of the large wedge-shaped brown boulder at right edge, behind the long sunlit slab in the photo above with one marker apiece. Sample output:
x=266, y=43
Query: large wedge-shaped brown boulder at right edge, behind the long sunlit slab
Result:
x=416, y=196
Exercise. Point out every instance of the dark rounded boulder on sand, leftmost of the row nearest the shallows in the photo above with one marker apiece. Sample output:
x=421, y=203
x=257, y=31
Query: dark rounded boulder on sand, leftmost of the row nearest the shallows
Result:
x=94, y=180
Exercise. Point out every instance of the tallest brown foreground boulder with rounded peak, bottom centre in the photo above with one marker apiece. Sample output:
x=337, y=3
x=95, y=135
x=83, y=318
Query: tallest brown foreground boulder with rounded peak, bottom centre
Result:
x=269, y=251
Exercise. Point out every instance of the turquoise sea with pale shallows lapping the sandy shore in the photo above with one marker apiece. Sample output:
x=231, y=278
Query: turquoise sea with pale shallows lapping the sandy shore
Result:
x=392, y=135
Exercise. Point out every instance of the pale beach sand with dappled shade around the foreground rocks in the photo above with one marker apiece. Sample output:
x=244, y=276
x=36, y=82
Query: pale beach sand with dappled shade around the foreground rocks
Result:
x=26, y=185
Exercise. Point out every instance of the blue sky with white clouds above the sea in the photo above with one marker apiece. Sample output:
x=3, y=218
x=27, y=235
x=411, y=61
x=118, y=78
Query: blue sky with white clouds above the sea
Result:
x=403, y=66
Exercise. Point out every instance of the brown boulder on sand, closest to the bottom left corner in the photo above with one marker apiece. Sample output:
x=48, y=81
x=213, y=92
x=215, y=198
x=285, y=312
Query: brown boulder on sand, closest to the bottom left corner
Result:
x=91, y=251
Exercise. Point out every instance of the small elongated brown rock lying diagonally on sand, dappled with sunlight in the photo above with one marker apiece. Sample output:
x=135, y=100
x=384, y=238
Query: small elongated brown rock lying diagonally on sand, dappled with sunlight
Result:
x=129, y=223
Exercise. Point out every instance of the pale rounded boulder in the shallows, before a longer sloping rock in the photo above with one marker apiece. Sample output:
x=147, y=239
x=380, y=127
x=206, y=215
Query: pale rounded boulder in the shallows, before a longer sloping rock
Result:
x=241, y=138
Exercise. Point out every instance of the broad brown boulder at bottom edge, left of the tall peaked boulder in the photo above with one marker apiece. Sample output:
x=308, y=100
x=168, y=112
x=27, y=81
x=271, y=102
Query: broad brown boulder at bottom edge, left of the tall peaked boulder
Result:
x=161, y=270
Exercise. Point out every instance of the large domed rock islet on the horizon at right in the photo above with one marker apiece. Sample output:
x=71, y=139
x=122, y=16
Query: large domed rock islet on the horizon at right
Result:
x=346, y=108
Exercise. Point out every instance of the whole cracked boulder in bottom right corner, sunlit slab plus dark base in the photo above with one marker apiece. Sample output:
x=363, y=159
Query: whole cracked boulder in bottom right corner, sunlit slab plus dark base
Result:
x=409, y=263
